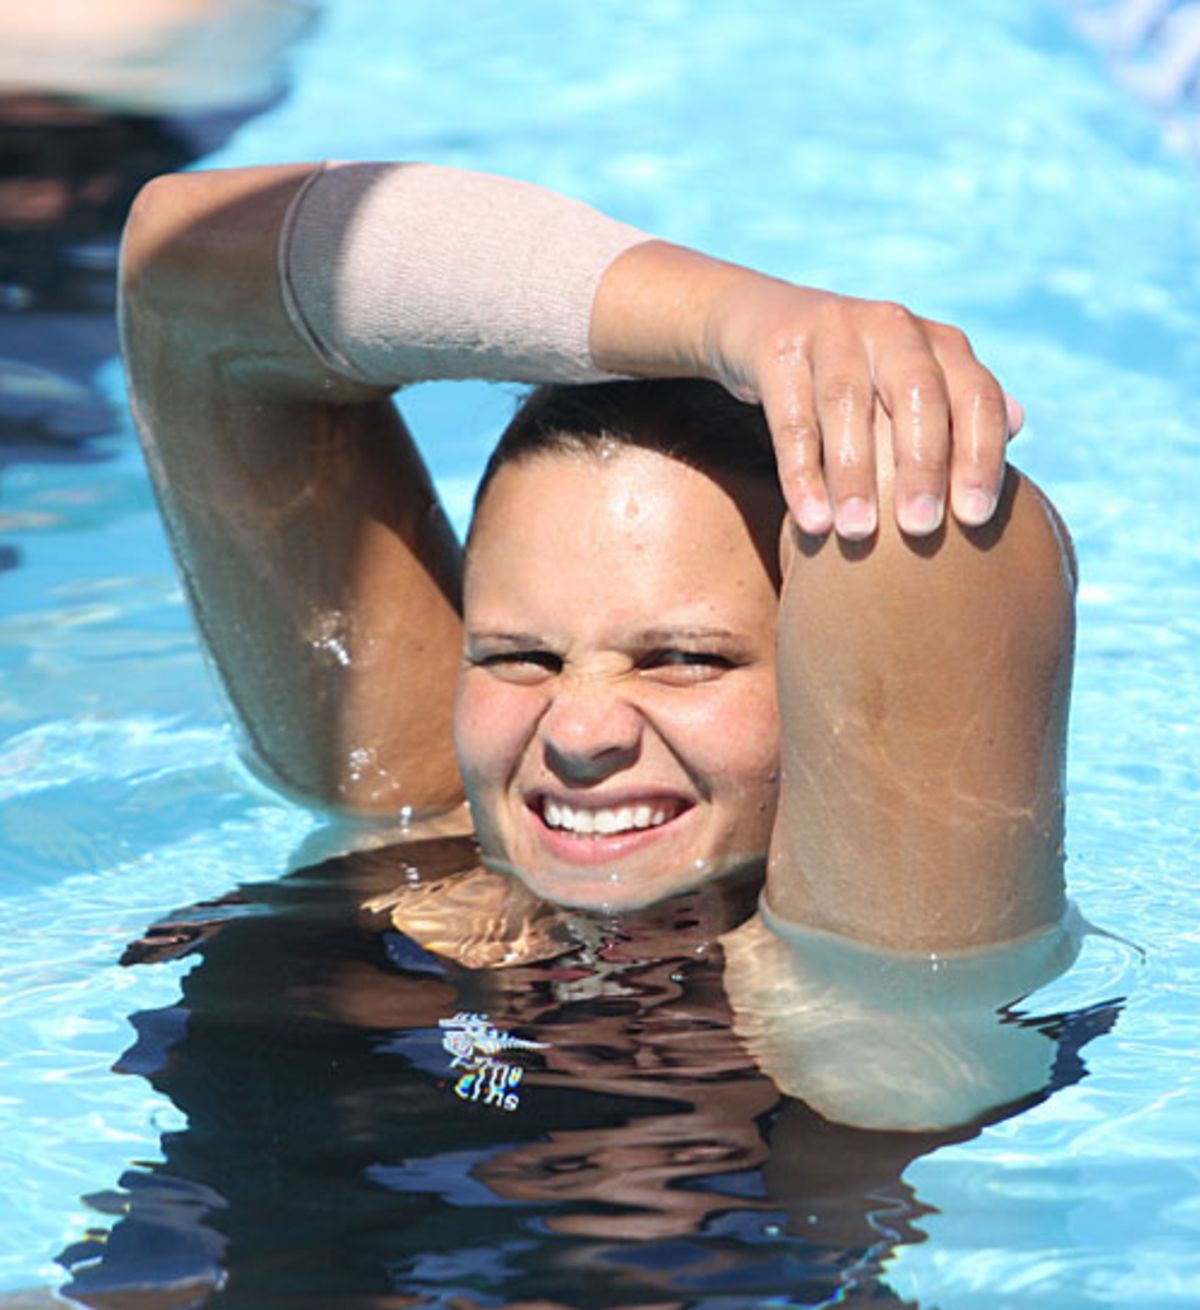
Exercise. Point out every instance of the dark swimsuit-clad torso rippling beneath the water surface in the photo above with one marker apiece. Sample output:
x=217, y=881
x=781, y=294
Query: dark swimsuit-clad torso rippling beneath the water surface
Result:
x=332, y=1159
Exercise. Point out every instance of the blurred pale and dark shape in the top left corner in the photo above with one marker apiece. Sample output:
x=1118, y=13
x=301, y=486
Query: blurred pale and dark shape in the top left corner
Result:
x=96, y=100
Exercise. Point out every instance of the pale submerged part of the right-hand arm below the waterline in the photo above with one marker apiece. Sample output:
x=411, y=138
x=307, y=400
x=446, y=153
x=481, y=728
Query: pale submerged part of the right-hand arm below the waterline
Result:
x=809, y=1004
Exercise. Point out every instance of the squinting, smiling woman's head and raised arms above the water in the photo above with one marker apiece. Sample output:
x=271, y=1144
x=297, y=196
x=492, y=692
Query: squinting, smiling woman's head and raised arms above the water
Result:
x=622, y=725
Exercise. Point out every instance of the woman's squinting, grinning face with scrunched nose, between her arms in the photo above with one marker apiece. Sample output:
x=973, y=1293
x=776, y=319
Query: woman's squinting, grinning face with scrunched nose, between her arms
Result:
x=616, y=721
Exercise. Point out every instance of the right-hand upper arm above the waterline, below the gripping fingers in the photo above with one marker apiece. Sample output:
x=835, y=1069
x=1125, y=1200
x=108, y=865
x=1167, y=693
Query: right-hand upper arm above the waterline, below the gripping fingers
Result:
x=924, y=691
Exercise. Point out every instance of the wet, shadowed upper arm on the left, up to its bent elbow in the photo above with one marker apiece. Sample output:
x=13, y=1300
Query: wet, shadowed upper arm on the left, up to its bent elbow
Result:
x=319, y=568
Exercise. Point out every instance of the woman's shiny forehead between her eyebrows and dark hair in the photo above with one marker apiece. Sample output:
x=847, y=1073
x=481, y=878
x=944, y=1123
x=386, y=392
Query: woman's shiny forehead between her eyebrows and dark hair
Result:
x=622, y=530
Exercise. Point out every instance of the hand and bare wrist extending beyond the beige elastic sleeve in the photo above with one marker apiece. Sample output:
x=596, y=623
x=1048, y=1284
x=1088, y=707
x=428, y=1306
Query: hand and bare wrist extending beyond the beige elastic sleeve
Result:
x=822, y=366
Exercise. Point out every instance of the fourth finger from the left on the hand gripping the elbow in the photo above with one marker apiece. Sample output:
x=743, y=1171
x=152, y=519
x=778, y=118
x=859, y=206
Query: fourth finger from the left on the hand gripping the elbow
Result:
x=981, y=428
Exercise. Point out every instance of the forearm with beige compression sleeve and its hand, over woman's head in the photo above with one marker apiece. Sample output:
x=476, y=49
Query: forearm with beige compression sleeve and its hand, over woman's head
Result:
x=402, y=272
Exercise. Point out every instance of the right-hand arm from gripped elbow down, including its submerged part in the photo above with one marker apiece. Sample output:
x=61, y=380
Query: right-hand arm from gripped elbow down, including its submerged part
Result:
x=915, y=880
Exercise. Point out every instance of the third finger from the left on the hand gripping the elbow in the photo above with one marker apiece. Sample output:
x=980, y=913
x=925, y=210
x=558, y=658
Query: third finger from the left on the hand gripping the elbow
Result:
x=914, y=391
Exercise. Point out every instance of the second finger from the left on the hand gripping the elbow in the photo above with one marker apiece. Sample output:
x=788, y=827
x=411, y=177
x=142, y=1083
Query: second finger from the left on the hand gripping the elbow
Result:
x=846, y=402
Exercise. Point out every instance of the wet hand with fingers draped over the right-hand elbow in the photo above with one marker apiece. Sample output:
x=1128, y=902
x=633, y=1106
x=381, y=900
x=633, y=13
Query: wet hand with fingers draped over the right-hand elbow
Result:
x=818, y=362
